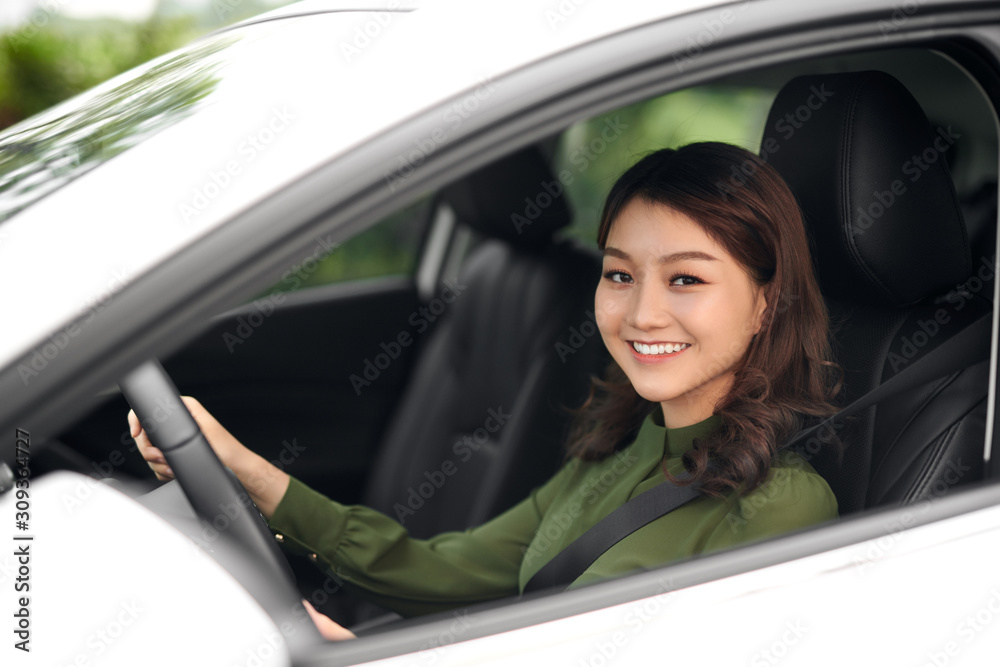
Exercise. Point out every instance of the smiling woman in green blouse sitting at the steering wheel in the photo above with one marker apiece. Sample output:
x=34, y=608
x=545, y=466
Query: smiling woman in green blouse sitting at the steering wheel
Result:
x=712, y=315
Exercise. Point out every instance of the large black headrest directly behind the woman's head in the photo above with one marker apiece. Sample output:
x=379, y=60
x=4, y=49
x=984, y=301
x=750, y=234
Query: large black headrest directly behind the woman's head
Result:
x=871, y=177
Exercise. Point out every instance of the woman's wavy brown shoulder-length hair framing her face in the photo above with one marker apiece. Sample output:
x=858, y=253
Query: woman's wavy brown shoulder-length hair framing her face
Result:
x=785, y=379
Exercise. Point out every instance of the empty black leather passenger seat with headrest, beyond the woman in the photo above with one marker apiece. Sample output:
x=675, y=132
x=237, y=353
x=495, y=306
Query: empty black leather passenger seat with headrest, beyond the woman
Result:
x=482, y=420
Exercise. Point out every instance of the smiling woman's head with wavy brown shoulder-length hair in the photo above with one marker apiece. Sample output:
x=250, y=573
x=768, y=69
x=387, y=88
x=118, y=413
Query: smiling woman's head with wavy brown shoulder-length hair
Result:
x=708, y=305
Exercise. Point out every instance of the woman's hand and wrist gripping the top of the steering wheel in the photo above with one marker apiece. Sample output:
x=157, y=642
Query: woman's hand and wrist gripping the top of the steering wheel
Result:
x=265, y=483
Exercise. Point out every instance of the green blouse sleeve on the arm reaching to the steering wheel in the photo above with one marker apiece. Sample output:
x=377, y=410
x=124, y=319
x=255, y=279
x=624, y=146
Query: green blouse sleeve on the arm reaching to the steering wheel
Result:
x=375, y=553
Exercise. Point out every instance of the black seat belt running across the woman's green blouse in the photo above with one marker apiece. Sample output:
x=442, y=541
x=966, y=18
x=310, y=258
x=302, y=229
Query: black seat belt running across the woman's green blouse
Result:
x=966, y=348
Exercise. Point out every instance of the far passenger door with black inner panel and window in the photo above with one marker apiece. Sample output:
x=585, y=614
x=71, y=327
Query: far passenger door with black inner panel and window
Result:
x=317, y=359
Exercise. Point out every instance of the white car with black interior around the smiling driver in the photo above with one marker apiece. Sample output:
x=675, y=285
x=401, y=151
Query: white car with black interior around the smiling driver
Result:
x=362, y=234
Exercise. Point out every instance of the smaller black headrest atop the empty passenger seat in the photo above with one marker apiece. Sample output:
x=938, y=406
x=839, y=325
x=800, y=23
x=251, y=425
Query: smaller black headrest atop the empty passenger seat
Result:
x=517, y=199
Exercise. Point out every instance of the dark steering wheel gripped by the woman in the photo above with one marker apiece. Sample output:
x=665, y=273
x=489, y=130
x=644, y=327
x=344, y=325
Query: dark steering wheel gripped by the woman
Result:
x=218, y=499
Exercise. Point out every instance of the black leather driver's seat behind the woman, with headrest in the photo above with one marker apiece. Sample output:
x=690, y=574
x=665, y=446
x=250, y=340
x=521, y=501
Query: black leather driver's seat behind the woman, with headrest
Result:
x=893, y=259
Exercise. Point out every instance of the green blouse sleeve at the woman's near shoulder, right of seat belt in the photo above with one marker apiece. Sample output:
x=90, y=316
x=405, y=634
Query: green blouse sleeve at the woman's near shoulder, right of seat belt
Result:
x=794, y=497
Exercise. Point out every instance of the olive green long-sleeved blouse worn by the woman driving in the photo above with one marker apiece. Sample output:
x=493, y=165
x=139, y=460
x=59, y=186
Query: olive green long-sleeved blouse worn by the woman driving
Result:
x=373, y=552
